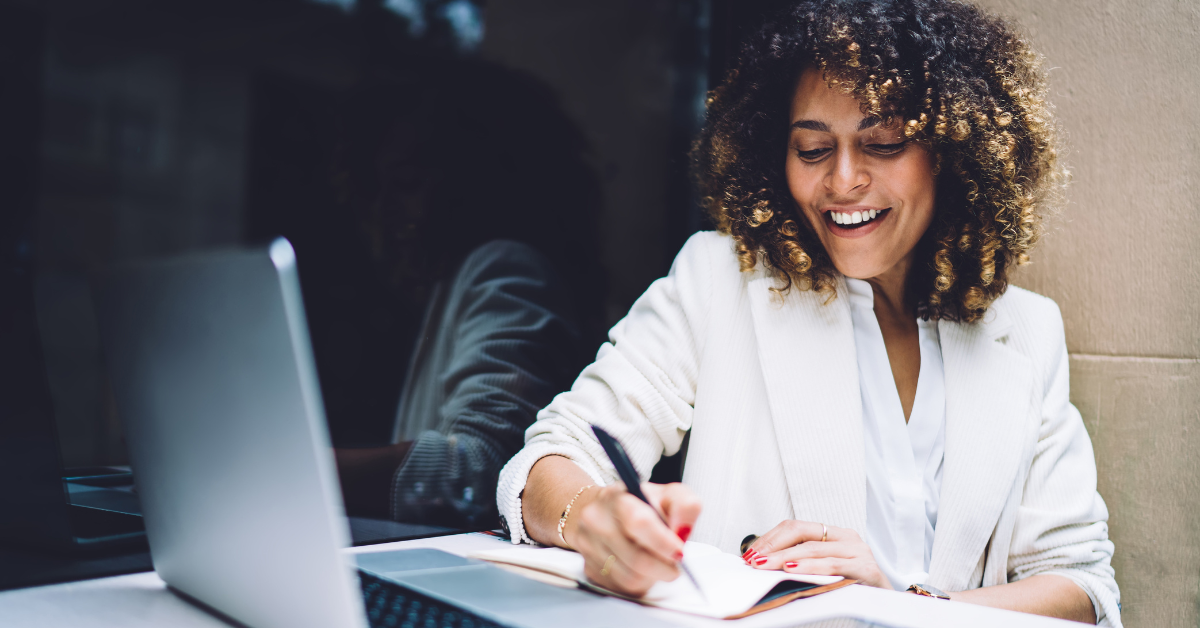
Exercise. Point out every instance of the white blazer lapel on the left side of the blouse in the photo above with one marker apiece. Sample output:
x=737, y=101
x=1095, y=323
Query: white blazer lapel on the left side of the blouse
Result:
x=807, y=354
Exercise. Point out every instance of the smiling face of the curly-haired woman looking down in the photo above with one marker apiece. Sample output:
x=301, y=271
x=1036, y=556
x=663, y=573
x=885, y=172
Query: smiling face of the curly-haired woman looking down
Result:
x=866, y=190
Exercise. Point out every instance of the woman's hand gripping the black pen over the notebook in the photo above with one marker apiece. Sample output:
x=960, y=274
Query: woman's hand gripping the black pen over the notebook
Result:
x=625, y=545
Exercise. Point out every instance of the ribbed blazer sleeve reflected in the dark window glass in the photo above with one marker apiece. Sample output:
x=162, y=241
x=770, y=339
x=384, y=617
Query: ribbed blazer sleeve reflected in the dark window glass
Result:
x=515, y=346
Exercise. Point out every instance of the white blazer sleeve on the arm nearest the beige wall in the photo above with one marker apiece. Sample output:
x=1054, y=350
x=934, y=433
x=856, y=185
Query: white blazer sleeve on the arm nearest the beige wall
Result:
x=1061, y=527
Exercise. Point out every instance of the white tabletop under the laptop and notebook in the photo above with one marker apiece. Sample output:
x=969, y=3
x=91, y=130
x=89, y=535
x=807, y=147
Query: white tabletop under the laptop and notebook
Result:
x=141, y=601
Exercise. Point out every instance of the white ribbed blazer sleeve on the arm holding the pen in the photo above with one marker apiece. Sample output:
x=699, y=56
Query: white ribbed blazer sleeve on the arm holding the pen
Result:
x=641, y=387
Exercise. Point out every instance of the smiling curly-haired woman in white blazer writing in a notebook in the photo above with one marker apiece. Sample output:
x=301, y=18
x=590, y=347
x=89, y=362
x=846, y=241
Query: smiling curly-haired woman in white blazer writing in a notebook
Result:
x=857, y=382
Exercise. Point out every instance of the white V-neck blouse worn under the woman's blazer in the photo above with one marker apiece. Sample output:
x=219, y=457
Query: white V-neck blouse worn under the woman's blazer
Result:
x=904, y=463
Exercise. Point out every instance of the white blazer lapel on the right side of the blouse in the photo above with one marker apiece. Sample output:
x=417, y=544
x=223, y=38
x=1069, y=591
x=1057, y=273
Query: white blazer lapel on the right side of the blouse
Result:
x=988, y=402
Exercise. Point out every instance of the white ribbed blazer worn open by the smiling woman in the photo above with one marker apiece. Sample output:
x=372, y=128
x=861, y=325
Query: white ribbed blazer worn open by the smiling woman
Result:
x=769, y=390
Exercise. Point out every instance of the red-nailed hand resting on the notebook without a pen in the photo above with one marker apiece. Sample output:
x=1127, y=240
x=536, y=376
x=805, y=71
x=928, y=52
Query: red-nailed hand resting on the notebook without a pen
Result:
x=796, y=547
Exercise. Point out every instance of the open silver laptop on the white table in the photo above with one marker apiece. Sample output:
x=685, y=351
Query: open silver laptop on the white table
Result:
x=215, y=385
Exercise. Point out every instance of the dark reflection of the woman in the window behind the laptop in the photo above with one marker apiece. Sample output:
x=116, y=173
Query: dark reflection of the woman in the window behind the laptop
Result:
x=479, y=208
